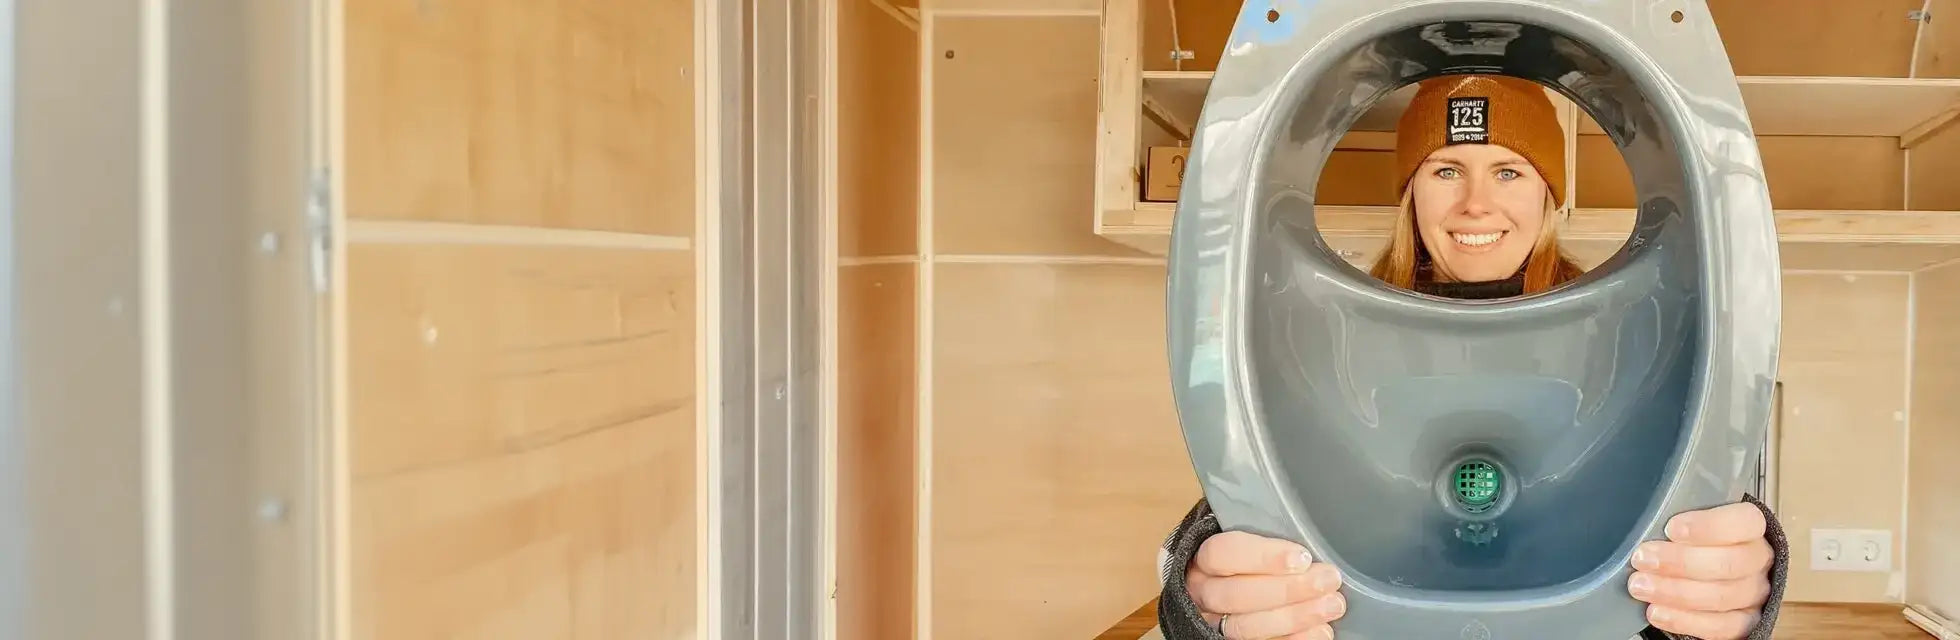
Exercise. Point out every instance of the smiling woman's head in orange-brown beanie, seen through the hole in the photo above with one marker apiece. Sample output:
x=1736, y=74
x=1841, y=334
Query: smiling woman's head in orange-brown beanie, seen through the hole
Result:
x=1481, y=163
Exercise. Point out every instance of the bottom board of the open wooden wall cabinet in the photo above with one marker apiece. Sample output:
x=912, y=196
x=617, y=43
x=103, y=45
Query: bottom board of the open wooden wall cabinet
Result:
x=1810, y=240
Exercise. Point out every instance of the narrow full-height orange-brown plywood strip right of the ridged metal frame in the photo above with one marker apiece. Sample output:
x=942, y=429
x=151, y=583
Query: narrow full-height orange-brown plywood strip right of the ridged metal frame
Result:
x=877, y=318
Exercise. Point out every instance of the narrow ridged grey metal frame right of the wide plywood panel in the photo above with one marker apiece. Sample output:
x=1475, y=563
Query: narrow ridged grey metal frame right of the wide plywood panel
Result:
x=765, y=244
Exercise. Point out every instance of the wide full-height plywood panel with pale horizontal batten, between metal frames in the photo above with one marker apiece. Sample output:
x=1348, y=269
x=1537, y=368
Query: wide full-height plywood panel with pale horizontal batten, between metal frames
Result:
x=520, y=320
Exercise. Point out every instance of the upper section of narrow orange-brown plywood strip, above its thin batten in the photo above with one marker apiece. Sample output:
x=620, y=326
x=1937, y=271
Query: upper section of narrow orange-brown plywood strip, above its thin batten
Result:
x=877, y=132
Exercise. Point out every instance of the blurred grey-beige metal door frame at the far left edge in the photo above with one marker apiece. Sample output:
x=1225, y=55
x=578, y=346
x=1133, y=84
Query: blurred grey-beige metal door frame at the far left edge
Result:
x=160, y=326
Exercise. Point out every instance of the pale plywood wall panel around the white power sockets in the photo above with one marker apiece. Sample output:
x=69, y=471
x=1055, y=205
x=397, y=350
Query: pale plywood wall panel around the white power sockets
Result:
x=1843, y=437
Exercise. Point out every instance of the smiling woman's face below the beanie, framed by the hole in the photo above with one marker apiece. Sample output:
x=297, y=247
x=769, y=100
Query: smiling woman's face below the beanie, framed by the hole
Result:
x=1479, y=210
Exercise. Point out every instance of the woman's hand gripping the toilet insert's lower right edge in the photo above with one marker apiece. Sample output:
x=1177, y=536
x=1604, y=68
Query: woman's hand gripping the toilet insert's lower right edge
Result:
x=1710, y=578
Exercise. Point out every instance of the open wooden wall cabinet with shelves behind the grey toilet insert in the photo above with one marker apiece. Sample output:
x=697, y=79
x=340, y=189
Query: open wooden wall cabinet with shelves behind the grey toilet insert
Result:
x=1857, y=148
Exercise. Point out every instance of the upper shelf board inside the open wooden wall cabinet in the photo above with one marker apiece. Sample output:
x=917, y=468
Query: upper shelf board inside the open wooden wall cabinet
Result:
x=1908, y=109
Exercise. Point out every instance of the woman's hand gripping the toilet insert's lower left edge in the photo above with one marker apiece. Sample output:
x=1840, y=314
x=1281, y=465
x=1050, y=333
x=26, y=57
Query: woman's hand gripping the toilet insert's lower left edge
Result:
x=1265, y=588
